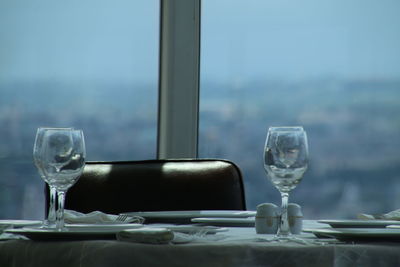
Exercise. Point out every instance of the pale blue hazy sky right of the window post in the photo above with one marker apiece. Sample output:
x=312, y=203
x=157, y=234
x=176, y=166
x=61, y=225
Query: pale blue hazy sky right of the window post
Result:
x=301, y=39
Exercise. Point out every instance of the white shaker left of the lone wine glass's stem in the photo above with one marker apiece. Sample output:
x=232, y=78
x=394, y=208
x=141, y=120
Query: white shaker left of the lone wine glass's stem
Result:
x=267, y=219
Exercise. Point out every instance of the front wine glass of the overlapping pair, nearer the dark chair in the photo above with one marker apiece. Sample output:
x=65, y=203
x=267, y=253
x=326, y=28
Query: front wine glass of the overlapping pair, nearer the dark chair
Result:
x=64, y=160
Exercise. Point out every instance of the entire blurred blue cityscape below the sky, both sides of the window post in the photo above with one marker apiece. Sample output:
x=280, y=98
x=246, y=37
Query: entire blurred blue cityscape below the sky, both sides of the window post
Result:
x=353, y=129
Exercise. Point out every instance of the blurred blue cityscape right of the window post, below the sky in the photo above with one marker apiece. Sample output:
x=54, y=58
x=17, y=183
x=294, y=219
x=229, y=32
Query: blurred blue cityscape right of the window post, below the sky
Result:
x=353, y=130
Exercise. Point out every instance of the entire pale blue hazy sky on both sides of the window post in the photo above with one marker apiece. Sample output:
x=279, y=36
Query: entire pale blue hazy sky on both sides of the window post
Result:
x=241, y=39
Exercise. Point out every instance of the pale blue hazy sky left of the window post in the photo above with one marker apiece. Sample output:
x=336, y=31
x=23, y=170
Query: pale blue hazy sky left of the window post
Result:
x=79, y=39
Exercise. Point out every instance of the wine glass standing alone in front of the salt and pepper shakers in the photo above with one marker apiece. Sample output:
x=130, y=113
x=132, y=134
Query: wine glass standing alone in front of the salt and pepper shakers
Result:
x=285, y=161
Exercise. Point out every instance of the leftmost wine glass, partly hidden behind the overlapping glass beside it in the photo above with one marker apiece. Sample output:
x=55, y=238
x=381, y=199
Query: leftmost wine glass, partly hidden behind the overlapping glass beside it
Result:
x=38, y=161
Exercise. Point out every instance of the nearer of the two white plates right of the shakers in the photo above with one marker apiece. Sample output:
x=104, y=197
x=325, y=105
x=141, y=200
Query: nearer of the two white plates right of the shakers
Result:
x=360, y=234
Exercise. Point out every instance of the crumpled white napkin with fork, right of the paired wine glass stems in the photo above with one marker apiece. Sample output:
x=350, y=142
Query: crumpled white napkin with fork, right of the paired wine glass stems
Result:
x=97, y=217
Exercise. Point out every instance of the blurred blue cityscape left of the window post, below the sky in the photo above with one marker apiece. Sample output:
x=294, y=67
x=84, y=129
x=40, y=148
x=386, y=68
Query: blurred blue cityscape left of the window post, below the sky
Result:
x=119, y=122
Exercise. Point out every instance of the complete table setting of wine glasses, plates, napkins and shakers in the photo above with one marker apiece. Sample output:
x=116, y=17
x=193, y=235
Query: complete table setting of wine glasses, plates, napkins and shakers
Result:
x=59, y=155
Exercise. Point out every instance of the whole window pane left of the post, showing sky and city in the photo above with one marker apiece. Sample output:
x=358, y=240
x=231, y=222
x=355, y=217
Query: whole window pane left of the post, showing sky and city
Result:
x=86, y=64
